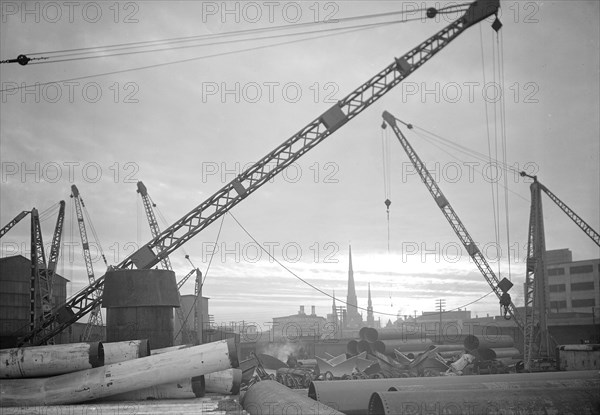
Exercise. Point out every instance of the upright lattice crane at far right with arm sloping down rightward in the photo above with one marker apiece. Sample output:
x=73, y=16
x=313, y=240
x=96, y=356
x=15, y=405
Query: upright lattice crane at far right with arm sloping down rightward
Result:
x=538, y=341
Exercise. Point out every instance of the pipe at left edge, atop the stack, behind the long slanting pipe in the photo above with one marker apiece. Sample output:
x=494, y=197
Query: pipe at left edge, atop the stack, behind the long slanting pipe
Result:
x=52, y=360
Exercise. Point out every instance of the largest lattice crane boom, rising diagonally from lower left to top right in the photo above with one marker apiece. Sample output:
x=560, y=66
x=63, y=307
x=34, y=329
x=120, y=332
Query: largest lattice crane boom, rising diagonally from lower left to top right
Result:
x=281, y=157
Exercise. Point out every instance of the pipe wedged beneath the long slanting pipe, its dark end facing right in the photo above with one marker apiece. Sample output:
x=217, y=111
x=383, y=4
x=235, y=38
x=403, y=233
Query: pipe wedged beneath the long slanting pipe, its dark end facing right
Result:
x=182, y=389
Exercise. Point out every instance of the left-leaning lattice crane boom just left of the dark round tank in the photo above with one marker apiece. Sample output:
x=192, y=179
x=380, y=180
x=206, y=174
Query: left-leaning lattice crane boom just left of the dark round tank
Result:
x=95, y=319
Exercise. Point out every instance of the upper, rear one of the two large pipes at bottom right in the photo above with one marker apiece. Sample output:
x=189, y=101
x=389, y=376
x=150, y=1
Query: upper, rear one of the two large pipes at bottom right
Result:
x=352, y=396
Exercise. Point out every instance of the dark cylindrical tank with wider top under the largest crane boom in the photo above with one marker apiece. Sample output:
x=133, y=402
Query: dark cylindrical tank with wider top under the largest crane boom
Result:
x=139, y=305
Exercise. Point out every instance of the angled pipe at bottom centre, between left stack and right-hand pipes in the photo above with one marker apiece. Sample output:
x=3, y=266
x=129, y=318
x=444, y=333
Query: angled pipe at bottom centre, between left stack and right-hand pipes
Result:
x=270, y=397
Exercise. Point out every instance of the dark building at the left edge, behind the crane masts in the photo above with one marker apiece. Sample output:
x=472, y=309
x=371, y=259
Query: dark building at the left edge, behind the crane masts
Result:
x=15, y=274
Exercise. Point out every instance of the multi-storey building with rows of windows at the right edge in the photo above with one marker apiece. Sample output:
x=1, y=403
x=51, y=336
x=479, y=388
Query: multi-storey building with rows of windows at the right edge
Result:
x=574, y=286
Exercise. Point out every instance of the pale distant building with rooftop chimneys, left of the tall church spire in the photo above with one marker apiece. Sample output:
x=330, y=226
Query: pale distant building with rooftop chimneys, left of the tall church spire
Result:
x=298, y=325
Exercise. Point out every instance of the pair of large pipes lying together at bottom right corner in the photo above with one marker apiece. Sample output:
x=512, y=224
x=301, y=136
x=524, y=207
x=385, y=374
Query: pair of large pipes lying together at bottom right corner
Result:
x=551, y=392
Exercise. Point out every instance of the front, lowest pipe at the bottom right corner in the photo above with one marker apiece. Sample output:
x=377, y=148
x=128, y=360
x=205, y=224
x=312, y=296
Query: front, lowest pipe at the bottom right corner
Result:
x=527, y=400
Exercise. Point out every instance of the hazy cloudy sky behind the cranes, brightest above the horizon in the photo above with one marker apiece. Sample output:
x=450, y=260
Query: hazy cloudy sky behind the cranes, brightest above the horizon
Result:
x=194, y=117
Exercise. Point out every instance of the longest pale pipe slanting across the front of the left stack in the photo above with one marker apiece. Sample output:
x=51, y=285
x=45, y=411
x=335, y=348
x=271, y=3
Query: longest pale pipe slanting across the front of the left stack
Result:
x=121, y=377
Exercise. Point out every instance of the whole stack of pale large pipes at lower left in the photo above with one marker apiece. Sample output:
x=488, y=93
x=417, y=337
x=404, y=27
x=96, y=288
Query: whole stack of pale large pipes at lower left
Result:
x=80, y=372
